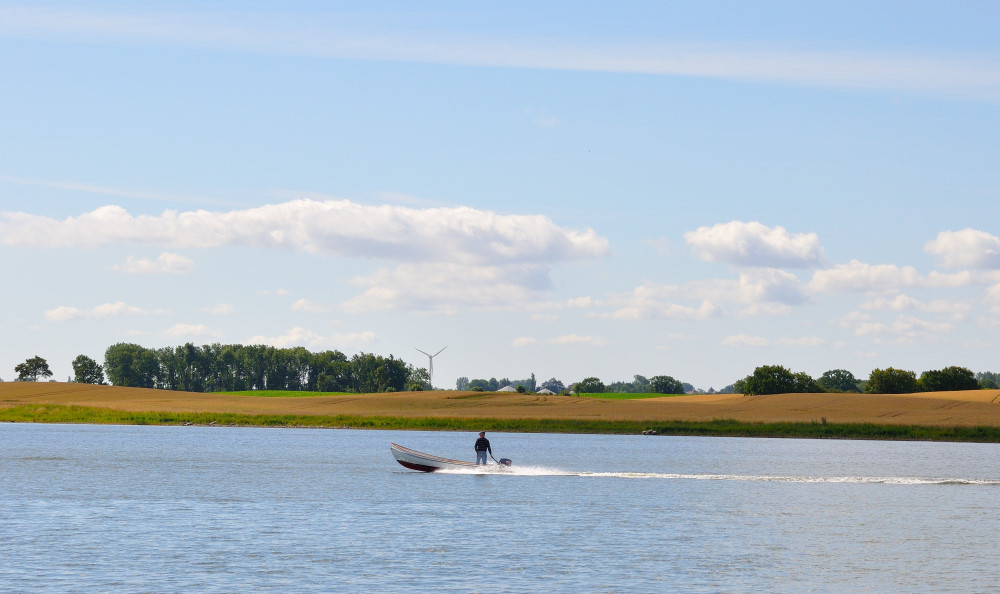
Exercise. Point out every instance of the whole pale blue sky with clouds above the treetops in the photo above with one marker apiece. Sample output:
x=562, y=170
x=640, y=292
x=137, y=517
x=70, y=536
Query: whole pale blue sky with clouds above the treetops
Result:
x=565, y=189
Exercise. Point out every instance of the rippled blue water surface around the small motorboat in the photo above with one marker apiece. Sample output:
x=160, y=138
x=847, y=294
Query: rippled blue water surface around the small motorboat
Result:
x=108, y=508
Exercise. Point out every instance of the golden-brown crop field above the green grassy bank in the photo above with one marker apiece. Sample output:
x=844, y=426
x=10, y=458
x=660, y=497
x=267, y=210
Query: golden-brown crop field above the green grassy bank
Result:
x=938, y=409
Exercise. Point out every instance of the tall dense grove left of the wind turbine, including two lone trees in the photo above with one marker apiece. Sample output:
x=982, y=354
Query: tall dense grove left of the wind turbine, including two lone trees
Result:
x=234, y=367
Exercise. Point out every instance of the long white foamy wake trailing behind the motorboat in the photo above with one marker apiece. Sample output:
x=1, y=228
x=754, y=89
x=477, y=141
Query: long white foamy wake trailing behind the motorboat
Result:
x=874, y=480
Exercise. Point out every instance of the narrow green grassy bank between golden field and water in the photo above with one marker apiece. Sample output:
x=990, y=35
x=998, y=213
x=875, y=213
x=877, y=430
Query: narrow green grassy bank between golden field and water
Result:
x=50, y=413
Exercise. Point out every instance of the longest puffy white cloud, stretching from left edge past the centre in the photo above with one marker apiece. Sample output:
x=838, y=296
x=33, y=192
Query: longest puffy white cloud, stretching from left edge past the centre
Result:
x=337, y=227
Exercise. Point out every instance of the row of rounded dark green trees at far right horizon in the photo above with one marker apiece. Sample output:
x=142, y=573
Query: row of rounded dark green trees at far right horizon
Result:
x=775, y=379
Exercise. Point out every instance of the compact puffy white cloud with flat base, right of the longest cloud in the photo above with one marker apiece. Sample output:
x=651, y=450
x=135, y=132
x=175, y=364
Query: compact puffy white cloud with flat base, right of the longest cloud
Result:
x=754, y=244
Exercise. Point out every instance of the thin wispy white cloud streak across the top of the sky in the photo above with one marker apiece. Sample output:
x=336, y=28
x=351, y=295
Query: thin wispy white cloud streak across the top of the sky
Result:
x=329, y=36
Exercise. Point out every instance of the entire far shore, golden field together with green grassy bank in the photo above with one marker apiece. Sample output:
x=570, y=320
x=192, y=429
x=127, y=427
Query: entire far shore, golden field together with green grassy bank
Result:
x=964, y=416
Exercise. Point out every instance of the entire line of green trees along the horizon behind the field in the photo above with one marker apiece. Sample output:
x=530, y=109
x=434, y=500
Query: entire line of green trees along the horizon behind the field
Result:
x=232, y=368
